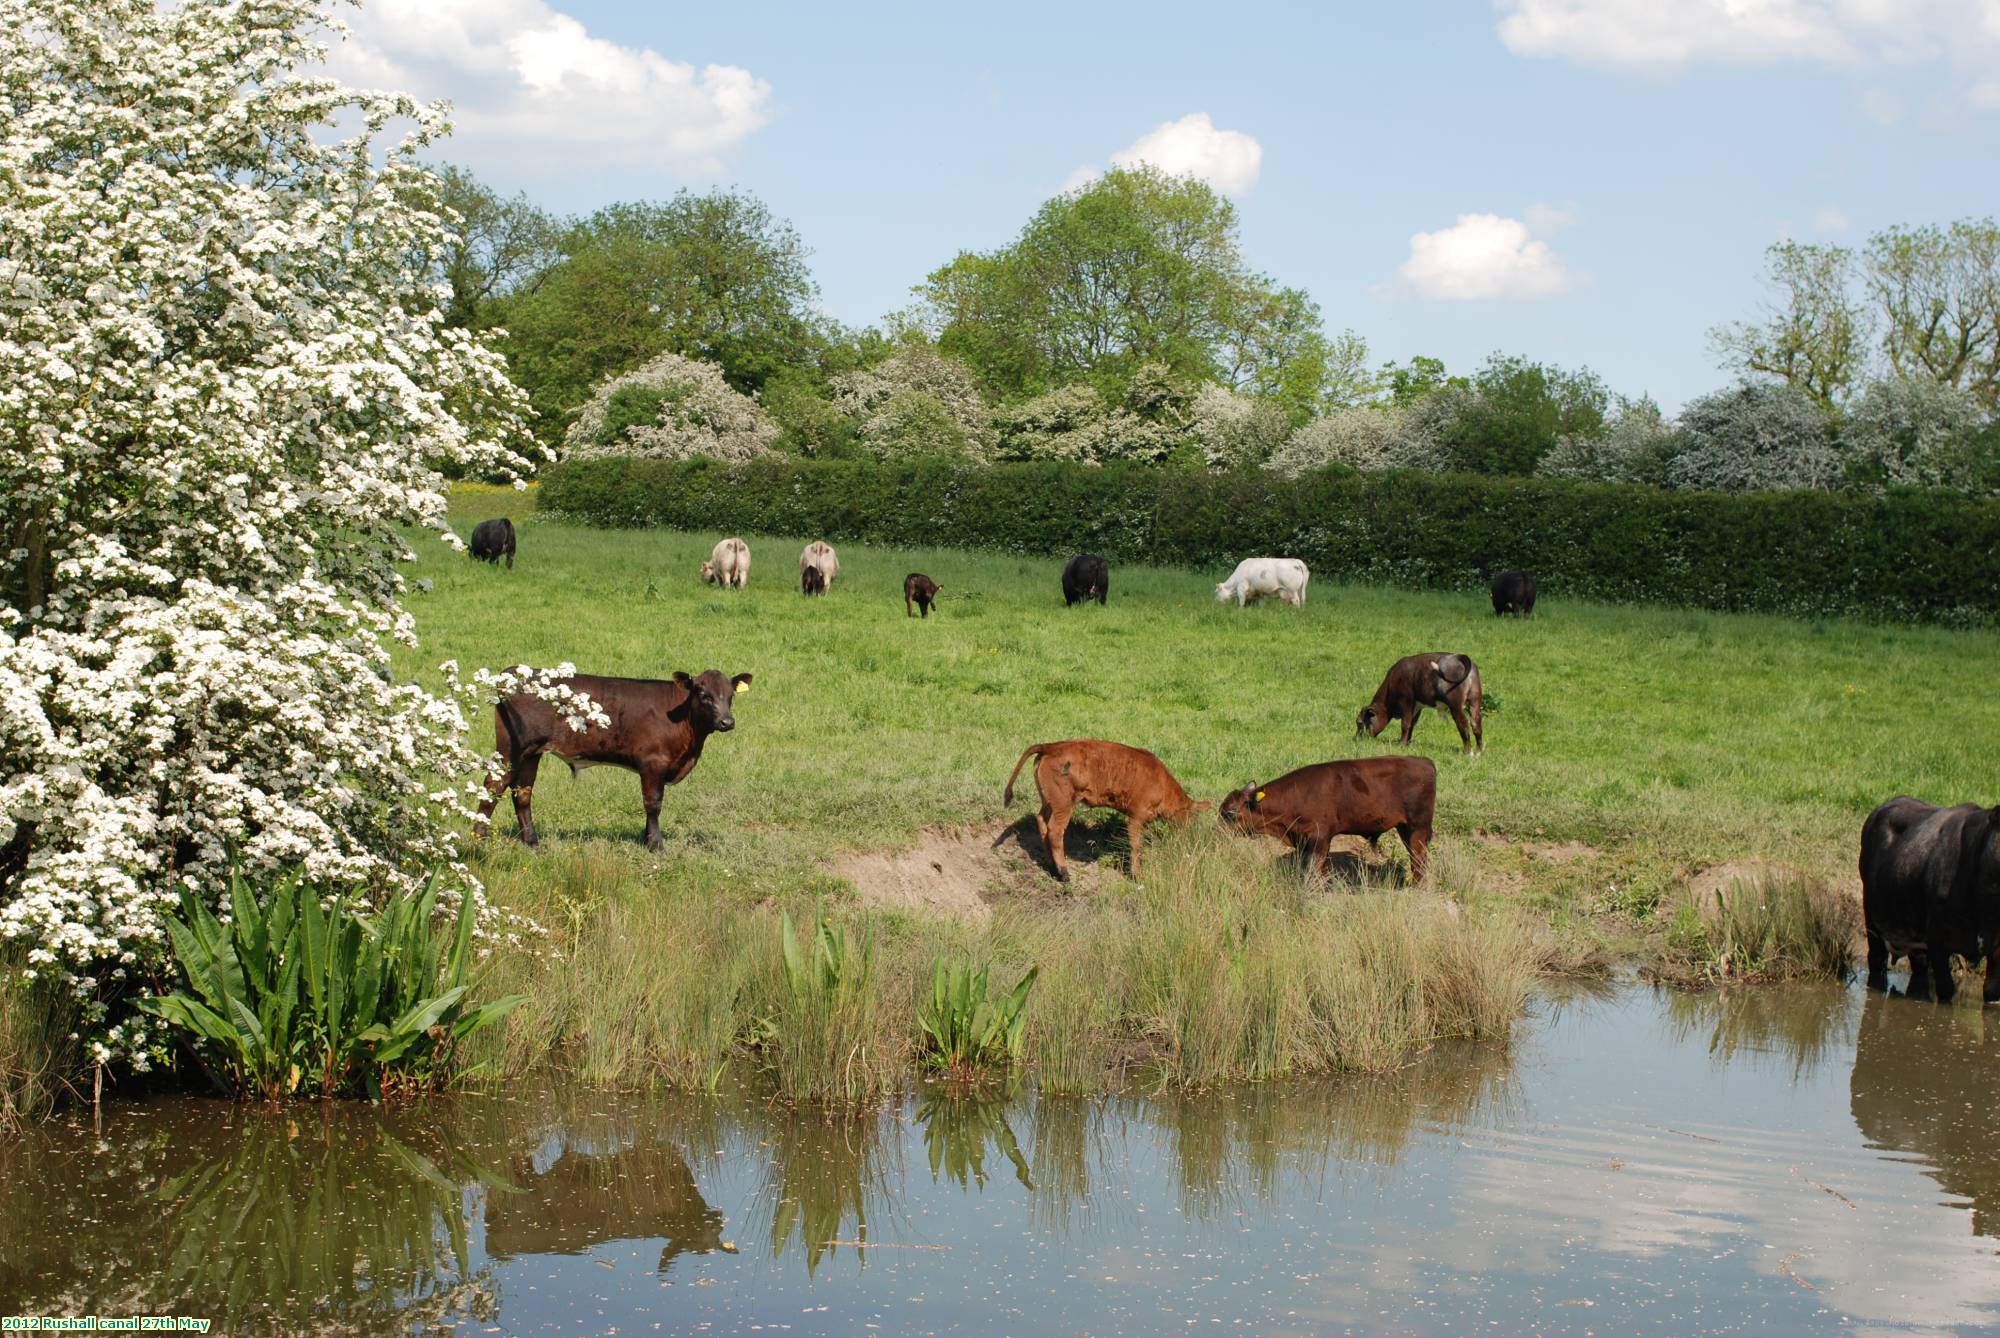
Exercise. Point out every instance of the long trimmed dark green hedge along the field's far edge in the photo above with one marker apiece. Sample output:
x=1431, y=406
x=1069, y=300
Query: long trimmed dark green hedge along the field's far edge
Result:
x=1899, y=557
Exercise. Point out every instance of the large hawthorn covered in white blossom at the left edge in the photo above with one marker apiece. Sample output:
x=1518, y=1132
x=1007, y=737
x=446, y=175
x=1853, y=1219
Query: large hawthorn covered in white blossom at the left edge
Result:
x=225, y=383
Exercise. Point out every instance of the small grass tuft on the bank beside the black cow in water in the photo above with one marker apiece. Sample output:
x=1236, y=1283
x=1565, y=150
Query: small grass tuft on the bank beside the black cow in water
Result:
x=1783, y=925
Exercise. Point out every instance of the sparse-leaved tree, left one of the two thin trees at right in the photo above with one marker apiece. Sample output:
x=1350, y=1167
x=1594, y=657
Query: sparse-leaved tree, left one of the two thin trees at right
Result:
x=1813, y=335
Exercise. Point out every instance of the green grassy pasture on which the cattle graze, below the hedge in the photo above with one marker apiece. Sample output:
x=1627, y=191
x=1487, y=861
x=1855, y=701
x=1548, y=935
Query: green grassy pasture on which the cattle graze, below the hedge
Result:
x=1629, y=755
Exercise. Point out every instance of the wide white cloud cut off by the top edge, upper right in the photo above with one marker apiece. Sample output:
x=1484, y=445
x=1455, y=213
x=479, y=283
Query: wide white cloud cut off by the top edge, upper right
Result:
x=1675, y=33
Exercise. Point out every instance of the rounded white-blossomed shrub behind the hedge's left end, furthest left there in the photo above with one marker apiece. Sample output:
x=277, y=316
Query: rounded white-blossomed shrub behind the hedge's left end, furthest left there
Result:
x=671, y=409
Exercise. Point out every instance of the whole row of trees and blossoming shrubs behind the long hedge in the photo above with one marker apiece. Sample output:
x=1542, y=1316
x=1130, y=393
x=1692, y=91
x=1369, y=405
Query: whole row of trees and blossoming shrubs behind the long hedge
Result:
x=1125, y=325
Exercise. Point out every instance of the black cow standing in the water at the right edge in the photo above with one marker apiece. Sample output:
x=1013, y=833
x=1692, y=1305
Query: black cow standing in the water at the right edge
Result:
x=1931, y=889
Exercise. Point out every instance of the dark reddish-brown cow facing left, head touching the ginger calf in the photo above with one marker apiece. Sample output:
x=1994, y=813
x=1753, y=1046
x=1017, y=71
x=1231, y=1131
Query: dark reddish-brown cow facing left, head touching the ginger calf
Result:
x=1311, y=807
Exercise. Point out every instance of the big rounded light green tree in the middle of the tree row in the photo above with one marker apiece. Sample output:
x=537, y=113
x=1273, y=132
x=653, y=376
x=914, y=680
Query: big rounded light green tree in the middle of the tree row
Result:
x=1135, y=269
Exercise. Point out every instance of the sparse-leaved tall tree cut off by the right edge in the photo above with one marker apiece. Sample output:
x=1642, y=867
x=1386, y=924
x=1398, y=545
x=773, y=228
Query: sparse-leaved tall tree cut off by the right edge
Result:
x=1939, y=295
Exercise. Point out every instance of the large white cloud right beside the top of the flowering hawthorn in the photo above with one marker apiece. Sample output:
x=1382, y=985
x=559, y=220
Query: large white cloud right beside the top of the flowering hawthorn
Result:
x=531, y=83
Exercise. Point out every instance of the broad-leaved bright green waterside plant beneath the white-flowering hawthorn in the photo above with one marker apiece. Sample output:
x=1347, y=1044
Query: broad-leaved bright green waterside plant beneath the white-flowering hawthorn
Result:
x=293, y=993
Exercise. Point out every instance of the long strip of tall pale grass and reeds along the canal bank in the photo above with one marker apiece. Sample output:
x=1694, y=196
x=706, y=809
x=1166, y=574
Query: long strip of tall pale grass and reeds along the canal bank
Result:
x=1225, y=965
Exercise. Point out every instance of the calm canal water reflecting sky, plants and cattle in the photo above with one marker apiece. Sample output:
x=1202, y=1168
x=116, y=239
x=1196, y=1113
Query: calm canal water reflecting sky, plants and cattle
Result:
x=1769, y=1161
